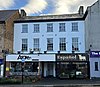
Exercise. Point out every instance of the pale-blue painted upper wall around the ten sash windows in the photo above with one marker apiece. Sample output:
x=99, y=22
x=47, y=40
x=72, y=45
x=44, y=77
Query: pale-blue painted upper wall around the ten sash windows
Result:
x=43, y=35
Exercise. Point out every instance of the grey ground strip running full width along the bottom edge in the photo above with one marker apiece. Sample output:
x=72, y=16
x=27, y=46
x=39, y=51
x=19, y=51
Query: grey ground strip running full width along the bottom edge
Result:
x=54, y=82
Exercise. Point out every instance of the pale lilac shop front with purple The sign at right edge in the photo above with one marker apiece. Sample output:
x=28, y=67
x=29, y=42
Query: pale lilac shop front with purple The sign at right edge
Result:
x=94, y=64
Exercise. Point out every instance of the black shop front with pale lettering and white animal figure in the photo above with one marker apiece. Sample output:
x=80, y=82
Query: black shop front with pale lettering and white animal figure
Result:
x=72, y=66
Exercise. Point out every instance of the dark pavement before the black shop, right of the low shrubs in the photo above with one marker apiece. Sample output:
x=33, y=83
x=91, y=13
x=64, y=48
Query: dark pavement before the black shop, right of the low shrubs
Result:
x=60, y=82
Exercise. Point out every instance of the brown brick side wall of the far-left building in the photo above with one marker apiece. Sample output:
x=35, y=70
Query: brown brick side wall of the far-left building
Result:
x=8, y=36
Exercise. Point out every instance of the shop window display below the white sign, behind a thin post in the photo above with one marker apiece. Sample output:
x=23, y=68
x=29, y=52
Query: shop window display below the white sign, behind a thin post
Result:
x=29, y=68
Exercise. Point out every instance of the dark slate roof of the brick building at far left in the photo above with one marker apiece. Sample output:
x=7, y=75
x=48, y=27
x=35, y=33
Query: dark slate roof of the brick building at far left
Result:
x=5, y=14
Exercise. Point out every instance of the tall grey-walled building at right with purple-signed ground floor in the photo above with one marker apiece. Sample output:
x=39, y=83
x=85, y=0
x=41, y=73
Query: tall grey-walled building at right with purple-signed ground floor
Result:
x=92, y=33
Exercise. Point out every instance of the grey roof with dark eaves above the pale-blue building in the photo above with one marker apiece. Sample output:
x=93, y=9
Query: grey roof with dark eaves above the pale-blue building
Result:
x=49, y=18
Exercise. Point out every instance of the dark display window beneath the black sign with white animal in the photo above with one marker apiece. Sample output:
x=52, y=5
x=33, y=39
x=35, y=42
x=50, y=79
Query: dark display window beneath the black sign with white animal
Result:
x=72, y=70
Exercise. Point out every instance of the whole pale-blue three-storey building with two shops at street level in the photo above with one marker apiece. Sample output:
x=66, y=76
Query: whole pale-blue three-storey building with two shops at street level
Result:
x=51, y=45
